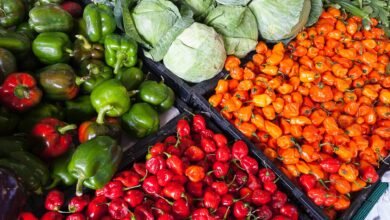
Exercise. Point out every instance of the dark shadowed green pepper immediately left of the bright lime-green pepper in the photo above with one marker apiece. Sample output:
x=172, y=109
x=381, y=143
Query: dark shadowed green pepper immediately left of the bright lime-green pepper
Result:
x=79, y=109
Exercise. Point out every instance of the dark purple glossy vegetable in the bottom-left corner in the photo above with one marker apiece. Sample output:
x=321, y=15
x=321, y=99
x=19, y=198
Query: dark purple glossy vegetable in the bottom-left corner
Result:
x=13, y=196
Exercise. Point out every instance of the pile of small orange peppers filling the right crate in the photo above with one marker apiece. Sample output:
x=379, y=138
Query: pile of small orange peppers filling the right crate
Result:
x=318, y=107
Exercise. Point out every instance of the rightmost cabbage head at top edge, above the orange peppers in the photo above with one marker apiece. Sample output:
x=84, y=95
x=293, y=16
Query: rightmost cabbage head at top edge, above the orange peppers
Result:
x=280, y=19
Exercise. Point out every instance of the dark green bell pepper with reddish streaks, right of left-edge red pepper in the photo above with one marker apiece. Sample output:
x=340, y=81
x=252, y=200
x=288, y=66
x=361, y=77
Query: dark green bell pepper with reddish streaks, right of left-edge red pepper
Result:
x=59, y=82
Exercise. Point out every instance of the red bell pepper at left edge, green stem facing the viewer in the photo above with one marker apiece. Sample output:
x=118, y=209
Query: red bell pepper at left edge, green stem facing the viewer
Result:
x=19, y=92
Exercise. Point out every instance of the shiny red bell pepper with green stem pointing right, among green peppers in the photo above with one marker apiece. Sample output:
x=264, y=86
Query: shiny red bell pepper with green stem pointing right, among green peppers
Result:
x=54, y=135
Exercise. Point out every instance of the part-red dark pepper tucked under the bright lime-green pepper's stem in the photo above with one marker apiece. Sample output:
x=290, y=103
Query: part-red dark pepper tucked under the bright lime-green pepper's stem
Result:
x=90, y=129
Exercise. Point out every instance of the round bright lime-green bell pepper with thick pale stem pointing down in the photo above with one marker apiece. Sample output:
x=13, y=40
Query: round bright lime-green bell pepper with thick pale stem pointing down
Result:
x=110, y=98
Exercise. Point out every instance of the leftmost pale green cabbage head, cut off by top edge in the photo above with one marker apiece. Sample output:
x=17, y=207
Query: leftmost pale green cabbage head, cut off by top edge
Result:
x=154, y=18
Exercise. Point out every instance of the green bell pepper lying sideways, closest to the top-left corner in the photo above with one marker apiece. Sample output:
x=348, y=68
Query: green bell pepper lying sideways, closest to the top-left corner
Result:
x=49, y=18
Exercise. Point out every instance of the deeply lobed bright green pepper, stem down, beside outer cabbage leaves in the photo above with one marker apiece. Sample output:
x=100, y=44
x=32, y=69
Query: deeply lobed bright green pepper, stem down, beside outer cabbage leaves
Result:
x=120, y=51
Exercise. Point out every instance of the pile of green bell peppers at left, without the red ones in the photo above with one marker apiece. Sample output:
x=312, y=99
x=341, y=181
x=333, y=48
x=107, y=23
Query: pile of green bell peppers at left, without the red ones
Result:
x=89, y=75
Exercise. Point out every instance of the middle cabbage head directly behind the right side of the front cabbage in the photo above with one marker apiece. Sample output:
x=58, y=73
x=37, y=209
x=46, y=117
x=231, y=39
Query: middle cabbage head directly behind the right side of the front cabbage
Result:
x=238, y=27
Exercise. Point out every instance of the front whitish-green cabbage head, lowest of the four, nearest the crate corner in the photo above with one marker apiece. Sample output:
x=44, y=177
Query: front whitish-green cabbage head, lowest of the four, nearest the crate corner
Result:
x=197, y=54
